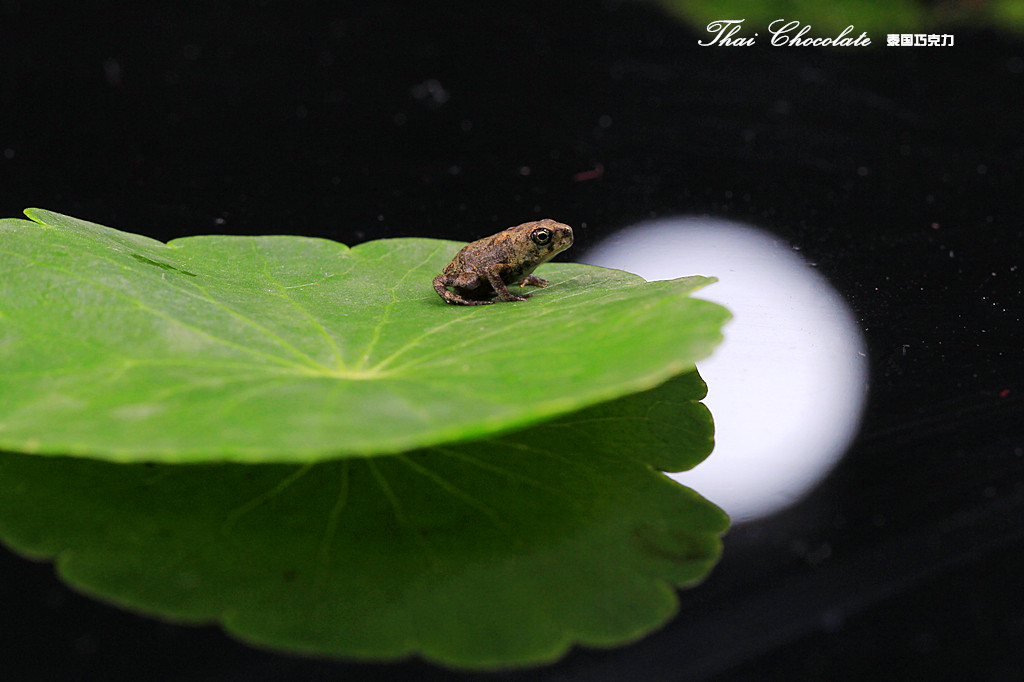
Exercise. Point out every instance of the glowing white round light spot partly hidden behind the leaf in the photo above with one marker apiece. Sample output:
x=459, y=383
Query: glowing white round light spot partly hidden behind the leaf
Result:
x=788, y=385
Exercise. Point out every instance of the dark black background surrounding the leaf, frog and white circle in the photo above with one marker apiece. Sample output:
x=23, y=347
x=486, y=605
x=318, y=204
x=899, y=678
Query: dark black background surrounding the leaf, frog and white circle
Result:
x=897, y=170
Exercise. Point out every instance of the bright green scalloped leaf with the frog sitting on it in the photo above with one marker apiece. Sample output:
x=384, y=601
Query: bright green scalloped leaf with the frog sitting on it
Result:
x=284, y=349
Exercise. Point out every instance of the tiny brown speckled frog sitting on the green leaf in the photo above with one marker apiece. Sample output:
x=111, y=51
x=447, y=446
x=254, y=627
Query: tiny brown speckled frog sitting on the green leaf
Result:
x=488, y=267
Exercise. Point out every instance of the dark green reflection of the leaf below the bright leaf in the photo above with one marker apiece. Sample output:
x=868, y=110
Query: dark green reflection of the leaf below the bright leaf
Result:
x=497, y=552
